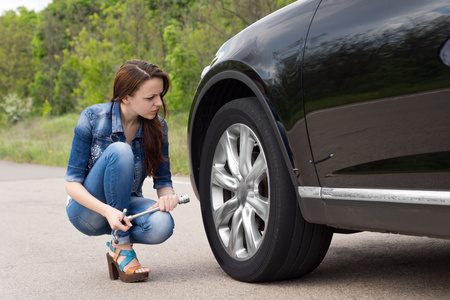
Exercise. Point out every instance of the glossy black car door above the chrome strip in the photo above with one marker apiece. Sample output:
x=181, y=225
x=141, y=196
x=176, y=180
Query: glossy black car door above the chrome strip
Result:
x=377, y=94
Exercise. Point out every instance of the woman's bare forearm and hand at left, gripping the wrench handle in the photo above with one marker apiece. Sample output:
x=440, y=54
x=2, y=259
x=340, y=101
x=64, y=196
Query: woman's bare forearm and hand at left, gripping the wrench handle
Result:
x=114, y=216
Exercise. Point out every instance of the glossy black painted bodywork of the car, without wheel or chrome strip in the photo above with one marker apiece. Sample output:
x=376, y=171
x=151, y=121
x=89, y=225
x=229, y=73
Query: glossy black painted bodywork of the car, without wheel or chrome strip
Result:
x=327, y=87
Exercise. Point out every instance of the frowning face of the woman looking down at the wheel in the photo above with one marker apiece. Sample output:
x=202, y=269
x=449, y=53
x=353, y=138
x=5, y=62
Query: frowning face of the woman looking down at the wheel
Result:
x=146, y=101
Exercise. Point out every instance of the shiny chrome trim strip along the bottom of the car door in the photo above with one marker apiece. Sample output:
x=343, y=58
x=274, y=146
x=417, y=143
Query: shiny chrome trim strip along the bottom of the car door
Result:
x=376, y=195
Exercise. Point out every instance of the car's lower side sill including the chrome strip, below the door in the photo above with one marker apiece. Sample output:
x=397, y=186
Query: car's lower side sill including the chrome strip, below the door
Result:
x=412, y=212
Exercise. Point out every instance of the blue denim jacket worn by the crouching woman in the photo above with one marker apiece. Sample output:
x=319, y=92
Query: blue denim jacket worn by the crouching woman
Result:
x=98, y=127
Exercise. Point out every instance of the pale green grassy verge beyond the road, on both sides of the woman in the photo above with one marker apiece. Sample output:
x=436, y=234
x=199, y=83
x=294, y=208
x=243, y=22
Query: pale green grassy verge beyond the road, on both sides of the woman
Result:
x=48, y=142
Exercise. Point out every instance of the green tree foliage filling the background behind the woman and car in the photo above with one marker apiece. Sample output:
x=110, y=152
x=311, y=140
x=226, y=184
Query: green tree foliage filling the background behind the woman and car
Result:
x=65, y=57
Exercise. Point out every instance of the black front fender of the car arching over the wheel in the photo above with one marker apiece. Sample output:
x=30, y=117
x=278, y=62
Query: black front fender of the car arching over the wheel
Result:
x=262, y=52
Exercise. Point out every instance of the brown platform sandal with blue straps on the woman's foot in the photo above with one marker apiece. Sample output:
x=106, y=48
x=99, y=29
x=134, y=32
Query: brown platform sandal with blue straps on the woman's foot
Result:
x=116, y=270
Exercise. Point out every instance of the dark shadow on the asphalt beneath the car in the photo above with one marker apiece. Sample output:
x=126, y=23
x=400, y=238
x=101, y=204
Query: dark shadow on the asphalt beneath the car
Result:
x=391, y=264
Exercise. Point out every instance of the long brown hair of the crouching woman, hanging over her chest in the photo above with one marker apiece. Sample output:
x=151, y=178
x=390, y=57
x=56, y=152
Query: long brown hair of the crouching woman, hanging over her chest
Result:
x=129, y=78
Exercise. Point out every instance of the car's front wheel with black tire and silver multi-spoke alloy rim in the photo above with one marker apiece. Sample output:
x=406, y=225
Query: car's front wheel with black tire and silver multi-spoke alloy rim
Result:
x=249, y=207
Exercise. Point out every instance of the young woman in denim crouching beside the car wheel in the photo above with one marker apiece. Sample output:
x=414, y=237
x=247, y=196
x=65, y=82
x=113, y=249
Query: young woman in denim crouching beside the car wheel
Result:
x=115, y=146
